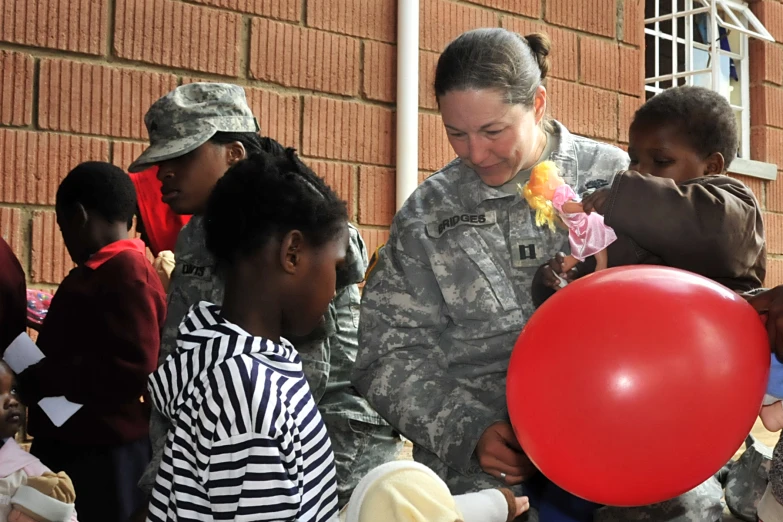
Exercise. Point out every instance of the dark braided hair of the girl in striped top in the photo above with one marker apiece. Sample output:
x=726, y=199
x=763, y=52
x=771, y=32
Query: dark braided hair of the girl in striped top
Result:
x=268, y=195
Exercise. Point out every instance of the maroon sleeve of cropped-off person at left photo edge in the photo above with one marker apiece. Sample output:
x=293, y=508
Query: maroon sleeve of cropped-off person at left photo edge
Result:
x=13, y=296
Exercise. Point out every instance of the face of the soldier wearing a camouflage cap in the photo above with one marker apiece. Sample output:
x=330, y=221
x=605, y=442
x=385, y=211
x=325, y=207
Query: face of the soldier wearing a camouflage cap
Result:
x=188, y=180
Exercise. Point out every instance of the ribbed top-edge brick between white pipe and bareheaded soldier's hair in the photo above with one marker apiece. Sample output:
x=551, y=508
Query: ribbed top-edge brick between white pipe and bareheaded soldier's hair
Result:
x=440, y=21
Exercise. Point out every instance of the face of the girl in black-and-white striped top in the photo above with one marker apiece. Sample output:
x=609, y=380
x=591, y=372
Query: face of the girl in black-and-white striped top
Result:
x=315, y=285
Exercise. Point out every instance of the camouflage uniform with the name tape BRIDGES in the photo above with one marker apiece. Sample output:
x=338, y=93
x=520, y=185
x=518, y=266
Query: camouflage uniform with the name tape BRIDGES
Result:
x=446, y=300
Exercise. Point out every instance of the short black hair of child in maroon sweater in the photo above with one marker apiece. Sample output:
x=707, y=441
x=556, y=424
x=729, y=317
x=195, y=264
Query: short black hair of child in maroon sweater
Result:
x=100, y=187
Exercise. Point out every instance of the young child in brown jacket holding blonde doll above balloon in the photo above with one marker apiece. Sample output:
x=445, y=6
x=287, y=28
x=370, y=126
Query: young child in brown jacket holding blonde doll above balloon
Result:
x=677, y=208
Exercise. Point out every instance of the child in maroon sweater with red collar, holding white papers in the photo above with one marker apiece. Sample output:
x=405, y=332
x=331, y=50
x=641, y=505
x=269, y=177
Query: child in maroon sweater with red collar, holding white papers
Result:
x=101, y=338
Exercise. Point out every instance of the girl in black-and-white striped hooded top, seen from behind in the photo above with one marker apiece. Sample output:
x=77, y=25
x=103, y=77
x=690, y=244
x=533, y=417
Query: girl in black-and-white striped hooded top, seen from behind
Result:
x=249, y=442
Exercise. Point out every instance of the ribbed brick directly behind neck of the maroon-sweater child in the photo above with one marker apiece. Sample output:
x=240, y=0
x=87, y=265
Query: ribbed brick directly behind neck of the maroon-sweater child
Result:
x=50, y=261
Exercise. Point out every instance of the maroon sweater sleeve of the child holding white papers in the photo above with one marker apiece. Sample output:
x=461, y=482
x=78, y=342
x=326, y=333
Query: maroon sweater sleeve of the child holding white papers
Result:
x=128, y=331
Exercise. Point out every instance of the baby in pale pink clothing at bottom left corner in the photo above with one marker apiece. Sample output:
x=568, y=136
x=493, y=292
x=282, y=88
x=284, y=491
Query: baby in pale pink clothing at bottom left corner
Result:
x=18, y=468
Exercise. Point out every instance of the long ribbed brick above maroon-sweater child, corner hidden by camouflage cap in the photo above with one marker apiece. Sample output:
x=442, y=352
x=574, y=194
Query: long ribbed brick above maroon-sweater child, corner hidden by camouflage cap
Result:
x=96, y=99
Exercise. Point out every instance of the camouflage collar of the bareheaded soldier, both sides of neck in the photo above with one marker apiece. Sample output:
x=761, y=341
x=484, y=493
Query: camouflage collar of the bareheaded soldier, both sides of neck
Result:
x=473, y=191
